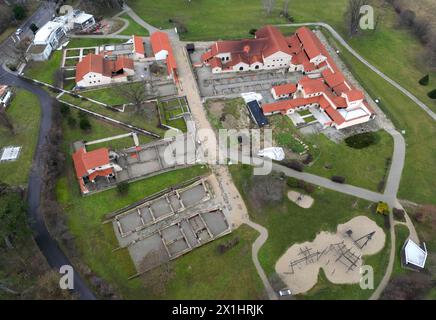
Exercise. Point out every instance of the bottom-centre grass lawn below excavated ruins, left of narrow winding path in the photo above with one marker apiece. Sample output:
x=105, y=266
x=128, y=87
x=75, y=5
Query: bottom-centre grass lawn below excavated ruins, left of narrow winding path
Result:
x=206, y=274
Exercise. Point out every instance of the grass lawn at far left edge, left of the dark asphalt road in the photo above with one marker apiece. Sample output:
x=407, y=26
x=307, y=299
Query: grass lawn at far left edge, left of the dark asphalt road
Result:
x=25, y=114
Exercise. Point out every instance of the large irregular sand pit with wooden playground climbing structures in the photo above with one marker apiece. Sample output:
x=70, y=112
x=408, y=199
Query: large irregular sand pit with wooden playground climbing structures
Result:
x=338, y=254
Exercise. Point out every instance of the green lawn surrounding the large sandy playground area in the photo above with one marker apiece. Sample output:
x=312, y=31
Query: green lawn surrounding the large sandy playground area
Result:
x=288, y=224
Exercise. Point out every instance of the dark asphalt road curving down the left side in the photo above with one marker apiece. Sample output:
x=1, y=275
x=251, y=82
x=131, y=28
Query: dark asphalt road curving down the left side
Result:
x=46, y=243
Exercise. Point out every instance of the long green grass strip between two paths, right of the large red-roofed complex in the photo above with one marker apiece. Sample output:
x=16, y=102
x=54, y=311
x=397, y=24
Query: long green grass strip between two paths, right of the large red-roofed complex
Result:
x=417, y=182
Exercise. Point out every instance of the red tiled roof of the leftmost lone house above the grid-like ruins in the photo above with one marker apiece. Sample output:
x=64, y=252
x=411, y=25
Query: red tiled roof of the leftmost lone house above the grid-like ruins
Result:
x=84, y=161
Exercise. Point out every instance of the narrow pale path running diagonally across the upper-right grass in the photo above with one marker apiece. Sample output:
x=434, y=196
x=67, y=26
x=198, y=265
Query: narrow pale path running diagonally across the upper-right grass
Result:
x=341, y=40
